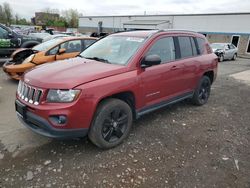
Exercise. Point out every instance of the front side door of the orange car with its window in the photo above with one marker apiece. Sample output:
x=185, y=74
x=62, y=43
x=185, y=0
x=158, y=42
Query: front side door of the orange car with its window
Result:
x=72, y=49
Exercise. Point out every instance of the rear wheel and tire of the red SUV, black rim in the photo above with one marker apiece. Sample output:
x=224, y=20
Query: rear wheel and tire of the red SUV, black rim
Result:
x=202, y=92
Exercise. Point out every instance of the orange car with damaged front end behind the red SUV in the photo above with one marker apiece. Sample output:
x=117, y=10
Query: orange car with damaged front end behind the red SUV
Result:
x=49, y=51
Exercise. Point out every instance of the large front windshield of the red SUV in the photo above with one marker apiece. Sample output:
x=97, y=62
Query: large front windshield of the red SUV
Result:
x=113, y=49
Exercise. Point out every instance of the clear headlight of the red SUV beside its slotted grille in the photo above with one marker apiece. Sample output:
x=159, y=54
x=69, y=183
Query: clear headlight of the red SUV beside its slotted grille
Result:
x=62, y=95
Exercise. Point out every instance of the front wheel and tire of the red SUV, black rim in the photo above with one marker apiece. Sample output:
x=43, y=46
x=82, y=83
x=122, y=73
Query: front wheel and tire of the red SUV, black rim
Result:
x=111, y=124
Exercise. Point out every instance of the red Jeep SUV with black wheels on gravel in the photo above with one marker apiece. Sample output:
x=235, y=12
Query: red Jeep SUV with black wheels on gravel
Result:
x=115, y=81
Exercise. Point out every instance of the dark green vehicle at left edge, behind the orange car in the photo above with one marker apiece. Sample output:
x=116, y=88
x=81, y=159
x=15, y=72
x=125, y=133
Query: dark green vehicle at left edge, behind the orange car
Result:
x=10, y=41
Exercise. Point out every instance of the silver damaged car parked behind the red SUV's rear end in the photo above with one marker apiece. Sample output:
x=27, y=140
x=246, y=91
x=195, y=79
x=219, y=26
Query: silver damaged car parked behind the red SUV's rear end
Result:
x=225, y=51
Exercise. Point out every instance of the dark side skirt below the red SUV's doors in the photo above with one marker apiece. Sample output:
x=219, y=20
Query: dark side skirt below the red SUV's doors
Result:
x=162, y=104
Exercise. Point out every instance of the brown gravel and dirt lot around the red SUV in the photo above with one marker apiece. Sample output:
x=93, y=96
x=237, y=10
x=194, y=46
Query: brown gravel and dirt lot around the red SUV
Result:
x=178, y=146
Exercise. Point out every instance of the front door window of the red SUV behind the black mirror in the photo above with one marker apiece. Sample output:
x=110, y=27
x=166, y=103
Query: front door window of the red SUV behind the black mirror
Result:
x=164, y=48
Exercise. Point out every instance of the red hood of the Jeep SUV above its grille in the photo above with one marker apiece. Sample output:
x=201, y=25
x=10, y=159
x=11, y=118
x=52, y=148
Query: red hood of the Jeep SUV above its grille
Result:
x=70, y=73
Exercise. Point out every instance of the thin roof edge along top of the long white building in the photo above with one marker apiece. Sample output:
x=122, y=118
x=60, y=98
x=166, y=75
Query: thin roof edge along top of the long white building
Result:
x=150, y=15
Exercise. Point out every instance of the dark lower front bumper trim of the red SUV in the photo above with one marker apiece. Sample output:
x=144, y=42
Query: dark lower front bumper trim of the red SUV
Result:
x=41, y=126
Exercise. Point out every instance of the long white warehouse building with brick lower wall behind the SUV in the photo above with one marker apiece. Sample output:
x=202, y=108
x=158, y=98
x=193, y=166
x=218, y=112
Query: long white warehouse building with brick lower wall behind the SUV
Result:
x=219, y=27
